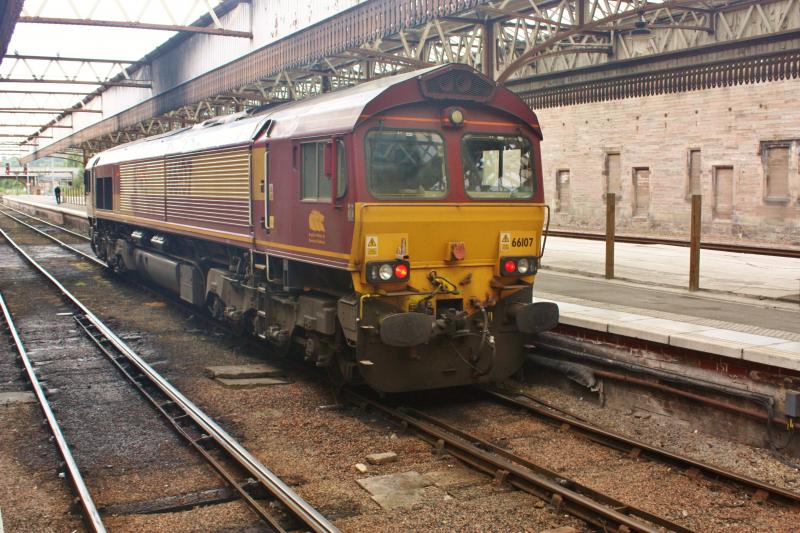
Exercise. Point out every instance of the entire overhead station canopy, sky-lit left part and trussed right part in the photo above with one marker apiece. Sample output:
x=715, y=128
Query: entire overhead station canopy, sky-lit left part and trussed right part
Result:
x=78, y=77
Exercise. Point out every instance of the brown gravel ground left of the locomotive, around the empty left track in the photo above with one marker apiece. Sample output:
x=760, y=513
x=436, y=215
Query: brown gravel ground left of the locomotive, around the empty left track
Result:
x=312, y=448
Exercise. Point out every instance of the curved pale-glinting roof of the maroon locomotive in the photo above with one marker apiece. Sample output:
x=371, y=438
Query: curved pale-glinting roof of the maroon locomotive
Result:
x=329, y=113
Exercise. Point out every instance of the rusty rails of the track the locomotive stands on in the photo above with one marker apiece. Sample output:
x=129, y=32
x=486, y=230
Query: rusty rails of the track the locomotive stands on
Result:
x=582, y=501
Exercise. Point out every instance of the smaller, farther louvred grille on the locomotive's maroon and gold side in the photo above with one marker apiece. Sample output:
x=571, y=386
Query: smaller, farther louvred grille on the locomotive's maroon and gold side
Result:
x=141, y=189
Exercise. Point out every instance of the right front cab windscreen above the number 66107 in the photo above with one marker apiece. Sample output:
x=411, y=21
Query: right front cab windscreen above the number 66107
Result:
x=497, y=166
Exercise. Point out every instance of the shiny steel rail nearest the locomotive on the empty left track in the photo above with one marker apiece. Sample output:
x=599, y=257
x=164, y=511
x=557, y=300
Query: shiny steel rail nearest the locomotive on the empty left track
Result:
x=210, y=430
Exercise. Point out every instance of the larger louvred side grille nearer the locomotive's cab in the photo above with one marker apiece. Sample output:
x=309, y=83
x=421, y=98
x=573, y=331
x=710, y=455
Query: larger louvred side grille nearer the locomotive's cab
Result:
x=209, y=188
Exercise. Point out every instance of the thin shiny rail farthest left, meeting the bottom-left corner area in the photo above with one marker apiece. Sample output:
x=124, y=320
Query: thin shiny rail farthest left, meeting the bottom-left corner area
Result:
x=90, y=514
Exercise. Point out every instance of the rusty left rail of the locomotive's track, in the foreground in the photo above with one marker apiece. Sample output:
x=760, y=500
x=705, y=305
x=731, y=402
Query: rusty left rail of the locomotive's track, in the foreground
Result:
x=600, y=510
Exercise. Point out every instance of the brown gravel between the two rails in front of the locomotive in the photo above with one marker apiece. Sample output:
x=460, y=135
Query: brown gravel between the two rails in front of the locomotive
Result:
x=700, y=505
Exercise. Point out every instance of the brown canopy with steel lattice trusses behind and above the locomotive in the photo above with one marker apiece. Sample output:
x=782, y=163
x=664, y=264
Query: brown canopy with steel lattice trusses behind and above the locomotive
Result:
x=526, y=43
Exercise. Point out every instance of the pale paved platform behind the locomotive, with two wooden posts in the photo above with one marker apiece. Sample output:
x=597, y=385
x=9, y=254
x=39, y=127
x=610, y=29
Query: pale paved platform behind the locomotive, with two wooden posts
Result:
x=748, y=308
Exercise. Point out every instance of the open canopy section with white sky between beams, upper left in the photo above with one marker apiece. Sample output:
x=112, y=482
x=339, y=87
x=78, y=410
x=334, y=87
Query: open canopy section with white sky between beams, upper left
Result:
x=63, y=54
